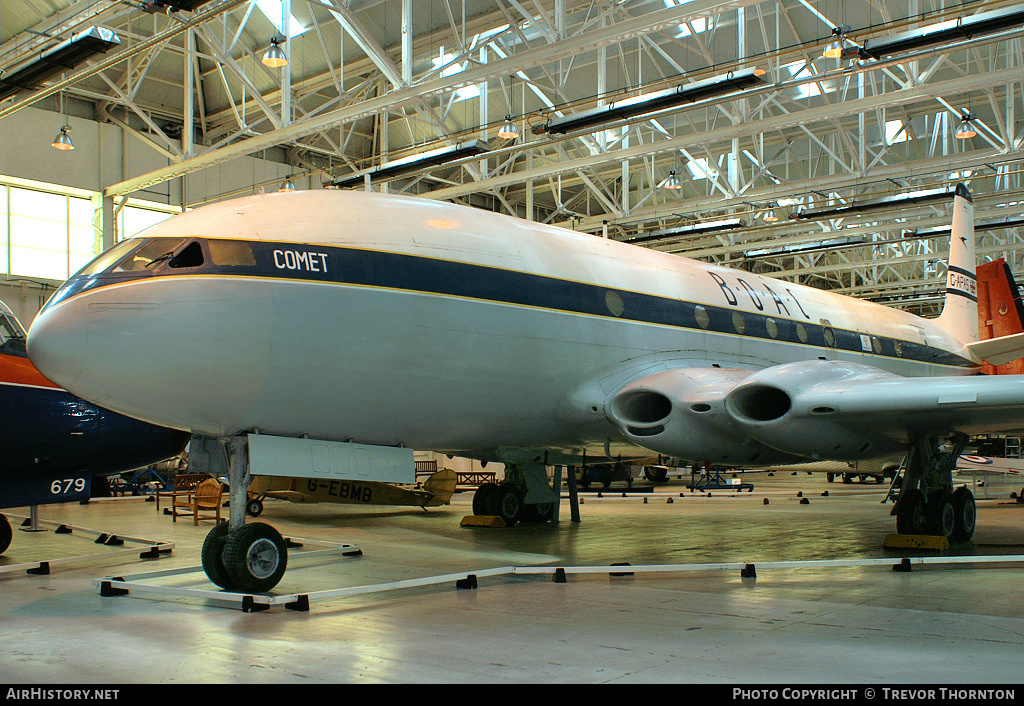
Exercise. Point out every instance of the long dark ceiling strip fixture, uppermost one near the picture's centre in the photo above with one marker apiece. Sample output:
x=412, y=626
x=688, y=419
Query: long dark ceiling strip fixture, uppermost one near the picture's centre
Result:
x=733, y=82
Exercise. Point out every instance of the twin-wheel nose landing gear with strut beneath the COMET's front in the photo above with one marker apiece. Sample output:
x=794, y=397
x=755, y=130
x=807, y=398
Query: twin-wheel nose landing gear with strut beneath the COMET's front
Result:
x=237, y=557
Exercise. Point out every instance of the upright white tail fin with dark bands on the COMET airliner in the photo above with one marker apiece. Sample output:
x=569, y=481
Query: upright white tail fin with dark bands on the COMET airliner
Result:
x=960, y=314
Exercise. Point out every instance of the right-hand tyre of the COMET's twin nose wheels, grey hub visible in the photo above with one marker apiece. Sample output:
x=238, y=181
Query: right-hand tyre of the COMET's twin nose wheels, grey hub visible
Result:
x=255, y=558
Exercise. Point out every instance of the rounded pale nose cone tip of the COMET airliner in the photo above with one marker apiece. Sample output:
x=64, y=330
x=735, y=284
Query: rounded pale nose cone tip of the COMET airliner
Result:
x=59, y=344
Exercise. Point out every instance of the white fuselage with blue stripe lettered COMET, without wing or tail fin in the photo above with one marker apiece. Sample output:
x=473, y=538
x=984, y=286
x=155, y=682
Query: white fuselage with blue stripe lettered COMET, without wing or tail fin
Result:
x=389, y=320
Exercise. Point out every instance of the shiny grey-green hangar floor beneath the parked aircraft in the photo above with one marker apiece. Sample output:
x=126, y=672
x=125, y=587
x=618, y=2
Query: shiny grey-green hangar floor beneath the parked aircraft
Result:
x=859, y=626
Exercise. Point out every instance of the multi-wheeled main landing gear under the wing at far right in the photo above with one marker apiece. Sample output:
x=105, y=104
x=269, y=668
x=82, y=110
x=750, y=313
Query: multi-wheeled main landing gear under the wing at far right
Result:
x=928, y=505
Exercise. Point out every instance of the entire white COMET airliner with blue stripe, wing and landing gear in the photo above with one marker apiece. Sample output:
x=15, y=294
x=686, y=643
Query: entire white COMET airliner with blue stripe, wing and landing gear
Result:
x=329, y=334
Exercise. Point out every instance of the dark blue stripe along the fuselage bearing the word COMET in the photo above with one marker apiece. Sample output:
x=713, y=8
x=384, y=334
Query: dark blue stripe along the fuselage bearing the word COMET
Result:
x=433, y=276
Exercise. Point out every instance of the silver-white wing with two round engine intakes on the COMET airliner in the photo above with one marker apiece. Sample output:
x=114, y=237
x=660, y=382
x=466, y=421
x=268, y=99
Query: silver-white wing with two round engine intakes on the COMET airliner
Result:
x=812, y=409
